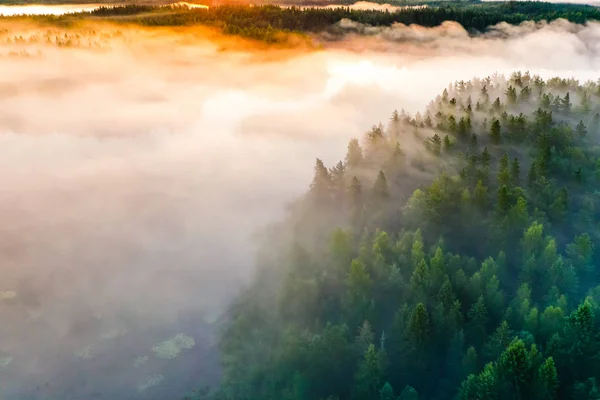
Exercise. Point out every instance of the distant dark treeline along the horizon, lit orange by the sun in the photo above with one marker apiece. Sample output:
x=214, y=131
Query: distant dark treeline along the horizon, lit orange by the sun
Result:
x=269, y=21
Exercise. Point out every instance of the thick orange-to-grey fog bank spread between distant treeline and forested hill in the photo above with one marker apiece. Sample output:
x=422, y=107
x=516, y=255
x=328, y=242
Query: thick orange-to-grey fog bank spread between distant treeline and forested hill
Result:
x=137, y=166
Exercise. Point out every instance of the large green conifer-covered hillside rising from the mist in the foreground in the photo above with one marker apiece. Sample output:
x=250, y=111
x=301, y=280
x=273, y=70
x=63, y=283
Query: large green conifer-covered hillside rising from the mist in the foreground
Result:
x=451, y=254
